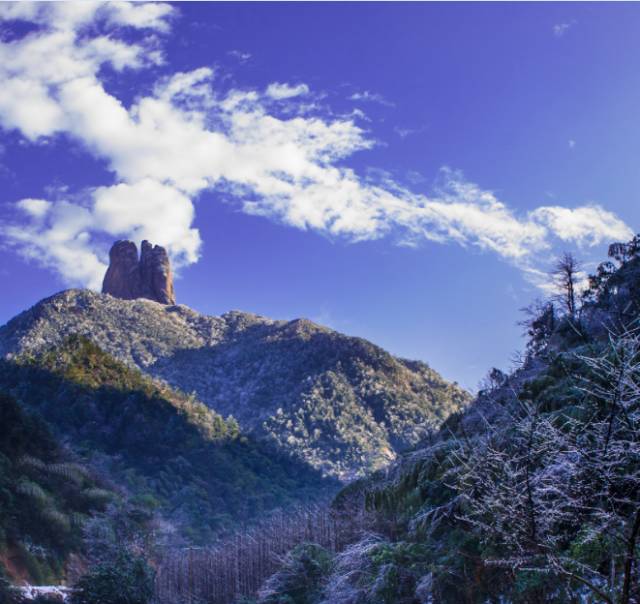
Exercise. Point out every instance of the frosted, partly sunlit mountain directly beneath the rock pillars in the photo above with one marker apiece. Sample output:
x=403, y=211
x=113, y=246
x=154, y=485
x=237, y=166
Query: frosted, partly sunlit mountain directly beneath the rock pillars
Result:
x=340, y=404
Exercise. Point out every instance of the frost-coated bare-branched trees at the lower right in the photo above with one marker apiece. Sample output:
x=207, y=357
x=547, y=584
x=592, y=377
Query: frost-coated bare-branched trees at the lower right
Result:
x=559, y=493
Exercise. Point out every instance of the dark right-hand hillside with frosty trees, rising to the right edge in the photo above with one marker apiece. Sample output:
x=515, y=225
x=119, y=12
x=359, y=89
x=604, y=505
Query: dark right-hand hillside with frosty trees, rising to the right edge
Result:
x=530, y=495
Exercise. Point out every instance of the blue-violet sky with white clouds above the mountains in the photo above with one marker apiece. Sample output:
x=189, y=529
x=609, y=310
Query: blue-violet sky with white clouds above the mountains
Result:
x=403, y=172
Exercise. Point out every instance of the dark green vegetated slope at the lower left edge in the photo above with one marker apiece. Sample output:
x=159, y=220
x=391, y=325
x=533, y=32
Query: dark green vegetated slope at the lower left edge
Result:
x=45, y=495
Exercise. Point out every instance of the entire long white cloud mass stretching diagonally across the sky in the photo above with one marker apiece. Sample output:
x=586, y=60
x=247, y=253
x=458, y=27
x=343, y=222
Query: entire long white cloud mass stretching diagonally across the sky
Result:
x=186, y=137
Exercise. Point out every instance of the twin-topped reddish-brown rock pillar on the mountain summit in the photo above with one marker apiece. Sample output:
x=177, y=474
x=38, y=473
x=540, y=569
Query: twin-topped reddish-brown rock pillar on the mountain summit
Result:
x=148, y=277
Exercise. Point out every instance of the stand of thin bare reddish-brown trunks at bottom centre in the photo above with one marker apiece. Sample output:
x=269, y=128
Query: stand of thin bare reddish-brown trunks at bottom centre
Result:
x=237, y=565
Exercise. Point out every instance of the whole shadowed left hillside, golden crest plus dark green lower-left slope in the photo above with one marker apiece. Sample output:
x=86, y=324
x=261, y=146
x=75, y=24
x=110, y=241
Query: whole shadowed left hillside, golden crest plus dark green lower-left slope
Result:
x=165, y=455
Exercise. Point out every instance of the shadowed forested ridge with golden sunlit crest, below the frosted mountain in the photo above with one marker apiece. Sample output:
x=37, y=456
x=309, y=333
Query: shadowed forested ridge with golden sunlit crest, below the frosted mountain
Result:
x=162, y=450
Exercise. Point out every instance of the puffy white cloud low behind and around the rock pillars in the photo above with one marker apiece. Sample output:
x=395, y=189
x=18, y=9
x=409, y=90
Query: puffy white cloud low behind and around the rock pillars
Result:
x=60, y=232
